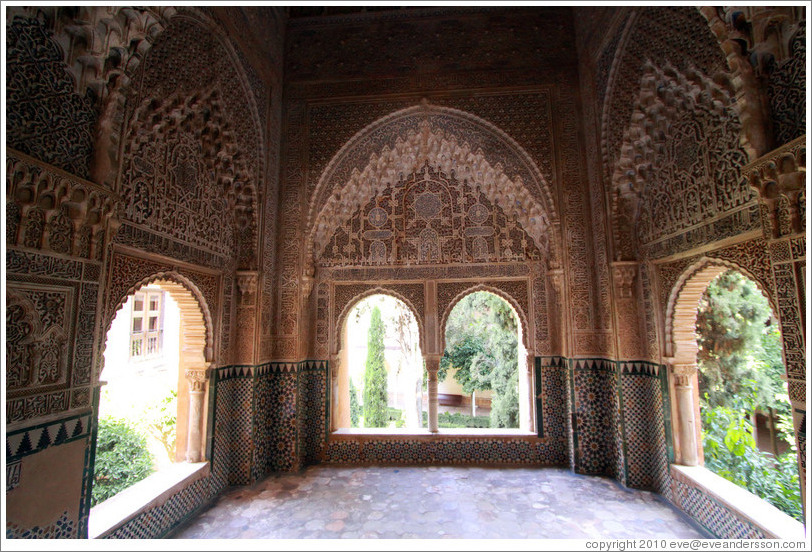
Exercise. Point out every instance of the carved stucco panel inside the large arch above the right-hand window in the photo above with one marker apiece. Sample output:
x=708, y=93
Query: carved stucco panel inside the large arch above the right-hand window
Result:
x=680, y=161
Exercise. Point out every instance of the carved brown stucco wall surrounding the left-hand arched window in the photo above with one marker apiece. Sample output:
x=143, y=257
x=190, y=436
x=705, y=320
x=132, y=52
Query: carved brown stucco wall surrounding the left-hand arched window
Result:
x=64, y=281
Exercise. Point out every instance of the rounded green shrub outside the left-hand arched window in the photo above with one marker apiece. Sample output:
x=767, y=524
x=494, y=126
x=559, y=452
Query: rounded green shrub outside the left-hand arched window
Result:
x=122, y=459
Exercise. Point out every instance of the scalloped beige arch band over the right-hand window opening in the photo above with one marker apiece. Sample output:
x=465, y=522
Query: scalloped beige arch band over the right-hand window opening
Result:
x=683, y=302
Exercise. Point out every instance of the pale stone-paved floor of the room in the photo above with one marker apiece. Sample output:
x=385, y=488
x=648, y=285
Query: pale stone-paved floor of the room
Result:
x=437, y=502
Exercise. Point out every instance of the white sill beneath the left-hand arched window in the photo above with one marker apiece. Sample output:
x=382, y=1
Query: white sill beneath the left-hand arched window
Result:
x=148, y=493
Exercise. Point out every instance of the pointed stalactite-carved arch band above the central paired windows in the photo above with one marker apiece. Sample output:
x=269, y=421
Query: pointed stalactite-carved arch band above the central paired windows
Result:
x=404, y=143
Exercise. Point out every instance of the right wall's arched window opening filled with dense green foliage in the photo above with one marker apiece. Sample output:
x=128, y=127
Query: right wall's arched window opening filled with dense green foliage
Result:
x=746, y=418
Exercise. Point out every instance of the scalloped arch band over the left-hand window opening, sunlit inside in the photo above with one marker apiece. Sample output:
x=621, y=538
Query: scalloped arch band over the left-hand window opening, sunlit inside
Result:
x=195, y=314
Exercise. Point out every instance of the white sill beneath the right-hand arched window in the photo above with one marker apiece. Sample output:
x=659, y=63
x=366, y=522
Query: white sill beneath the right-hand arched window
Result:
x=770, y=520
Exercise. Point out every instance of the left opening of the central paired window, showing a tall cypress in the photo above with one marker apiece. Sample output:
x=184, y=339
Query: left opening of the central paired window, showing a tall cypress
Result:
x=381, y=378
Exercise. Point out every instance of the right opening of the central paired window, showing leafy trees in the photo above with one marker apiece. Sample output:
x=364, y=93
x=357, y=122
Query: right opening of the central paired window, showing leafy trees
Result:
x=479, y=371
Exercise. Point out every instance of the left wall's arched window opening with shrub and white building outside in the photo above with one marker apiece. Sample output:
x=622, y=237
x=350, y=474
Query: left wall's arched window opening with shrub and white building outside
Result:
x=152, y=399
